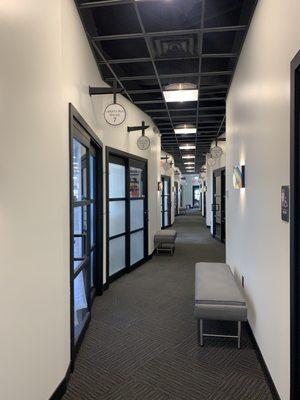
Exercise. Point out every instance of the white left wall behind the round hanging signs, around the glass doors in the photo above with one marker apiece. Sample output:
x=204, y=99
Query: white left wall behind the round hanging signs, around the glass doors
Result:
x=46, y=63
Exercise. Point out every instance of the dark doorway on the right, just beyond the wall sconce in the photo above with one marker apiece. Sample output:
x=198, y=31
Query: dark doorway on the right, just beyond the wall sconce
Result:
x=219, y=205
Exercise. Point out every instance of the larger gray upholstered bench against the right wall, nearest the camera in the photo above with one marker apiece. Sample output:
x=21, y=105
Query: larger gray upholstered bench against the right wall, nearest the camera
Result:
x=217, y=297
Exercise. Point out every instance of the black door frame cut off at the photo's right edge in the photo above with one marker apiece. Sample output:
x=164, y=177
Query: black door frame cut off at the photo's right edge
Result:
x=295, y=228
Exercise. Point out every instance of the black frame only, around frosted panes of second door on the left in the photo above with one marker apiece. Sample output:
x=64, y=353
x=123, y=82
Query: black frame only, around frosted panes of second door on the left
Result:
x=128, y=158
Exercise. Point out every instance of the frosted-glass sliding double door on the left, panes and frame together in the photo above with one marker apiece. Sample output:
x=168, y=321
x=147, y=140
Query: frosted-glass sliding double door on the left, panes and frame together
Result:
x=127, y=212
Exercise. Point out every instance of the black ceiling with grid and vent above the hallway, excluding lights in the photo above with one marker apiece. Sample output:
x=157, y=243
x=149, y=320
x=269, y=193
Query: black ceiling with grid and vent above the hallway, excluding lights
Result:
x=149, y=44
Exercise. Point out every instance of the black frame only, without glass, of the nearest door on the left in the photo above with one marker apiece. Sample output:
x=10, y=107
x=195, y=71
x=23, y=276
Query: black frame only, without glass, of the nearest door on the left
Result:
x=90, y=139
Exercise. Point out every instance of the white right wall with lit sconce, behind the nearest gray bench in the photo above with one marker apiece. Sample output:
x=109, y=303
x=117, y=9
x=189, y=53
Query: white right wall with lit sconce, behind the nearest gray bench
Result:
x=258, y=127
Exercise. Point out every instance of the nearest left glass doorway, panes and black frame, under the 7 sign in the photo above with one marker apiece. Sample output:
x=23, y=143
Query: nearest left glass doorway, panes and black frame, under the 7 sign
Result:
x=86, y=225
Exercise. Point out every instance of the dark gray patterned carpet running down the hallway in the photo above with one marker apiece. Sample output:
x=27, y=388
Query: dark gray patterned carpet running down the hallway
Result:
x=142, y=344
